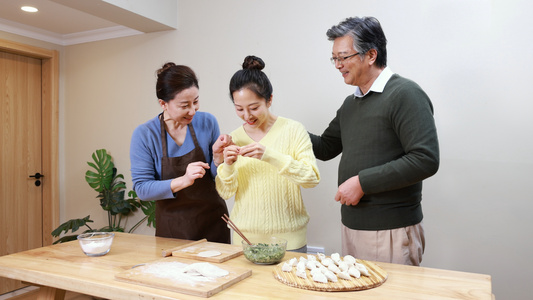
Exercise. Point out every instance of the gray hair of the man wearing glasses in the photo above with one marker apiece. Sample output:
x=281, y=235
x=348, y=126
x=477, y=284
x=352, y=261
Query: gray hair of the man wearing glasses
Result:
x=366, y=33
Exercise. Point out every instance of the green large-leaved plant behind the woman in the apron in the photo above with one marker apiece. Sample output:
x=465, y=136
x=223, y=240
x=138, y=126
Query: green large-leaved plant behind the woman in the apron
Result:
x=111, y=193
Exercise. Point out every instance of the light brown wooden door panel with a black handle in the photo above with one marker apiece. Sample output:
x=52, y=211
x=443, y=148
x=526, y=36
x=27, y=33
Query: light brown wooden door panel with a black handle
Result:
x=21, y=221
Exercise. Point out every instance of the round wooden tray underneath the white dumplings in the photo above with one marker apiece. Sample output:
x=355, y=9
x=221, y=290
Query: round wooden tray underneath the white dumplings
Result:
x=376, y=278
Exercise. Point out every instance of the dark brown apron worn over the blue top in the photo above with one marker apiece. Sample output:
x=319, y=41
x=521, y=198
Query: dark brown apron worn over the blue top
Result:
x=195, y=212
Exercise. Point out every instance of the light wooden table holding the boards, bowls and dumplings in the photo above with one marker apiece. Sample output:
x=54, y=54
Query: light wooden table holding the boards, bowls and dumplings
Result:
x=64, y=267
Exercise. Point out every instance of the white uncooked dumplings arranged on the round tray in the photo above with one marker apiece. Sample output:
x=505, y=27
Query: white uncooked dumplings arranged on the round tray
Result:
x=323, y=269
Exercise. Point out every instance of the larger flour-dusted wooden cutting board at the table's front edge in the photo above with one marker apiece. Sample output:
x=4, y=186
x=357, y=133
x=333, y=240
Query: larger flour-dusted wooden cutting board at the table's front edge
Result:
x=166, y=279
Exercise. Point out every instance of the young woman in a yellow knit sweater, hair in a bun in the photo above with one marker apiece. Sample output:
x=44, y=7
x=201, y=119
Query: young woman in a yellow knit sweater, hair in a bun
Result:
x=272, y=157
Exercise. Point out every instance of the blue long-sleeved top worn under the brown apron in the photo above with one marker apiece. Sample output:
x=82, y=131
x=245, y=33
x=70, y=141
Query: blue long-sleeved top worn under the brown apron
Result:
x=146, y=153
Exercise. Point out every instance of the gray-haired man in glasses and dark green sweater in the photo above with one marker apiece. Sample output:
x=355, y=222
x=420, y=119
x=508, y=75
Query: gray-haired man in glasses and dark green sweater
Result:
x=388, y=140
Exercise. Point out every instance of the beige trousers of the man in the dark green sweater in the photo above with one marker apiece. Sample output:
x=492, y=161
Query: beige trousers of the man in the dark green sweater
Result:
x=400, y=246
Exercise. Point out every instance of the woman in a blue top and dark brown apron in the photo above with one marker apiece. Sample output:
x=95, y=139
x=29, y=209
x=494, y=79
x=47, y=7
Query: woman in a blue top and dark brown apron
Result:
x=172, y=161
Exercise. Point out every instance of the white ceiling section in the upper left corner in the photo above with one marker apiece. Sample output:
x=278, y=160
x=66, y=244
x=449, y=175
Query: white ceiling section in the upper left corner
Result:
x=68, y=22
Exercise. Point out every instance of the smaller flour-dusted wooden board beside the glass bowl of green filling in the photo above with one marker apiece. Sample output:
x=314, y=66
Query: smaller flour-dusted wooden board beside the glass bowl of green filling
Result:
x=196, y=250
